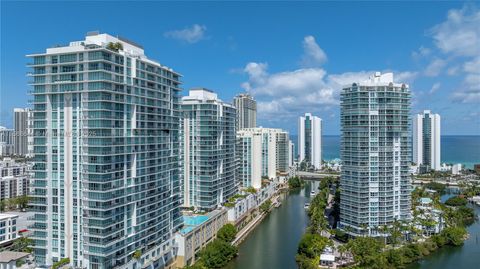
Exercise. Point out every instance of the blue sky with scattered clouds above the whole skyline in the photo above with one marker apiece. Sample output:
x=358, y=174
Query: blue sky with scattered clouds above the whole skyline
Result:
x=293, y=57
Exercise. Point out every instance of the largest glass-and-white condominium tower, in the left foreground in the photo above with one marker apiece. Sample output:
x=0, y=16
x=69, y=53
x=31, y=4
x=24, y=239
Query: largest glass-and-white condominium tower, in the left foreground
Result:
x=106, y=173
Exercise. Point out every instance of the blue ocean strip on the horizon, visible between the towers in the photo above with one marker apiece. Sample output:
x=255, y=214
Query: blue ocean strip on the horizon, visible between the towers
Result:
x=464, y=149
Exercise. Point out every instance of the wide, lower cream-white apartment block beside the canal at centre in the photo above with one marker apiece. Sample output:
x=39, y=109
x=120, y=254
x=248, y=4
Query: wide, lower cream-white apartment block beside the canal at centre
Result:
x=261, y=152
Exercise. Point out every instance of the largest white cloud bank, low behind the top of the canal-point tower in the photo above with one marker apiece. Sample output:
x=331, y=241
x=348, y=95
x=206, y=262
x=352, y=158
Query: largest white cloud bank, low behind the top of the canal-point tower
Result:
x=283, y=96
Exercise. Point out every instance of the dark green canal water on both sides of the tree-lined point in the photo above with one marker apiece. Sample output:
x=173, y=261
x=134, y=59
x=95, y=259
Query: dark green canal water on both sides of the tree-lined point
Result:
x=273, y=243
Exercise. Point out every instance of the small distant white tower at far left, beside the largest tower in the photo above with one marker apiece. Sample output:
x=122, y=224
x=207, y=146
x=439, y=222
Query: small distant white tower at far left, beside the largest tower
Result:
x=20, y=122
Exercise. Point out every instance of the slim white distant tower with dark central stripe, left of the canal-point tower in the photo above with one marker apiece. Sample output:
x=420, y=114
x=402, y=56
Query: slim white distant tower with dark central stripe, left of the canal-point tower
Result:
x=310, y=140
